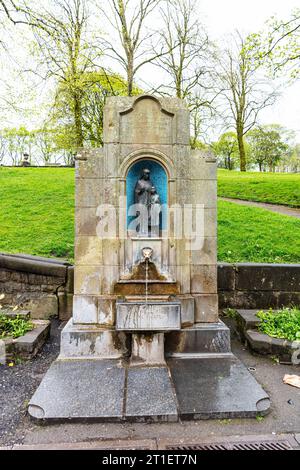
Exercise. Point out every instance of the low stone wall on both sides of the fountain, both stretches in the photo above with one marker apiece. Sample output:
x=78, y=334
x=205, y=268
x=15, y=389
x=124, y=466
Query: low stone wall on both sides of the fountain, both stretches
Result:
x=45, y=286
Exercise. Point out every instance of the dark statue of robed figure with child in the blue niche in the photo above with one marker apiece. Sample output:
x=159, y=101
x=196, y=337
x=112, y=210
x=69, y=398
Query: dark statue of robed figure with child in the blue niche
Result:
x=145, y=194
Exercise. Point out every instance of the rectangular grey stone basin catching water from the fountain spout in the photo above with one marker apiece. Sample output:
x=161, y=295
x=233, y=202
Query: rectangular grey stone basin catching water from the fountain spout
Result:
x=150, y=316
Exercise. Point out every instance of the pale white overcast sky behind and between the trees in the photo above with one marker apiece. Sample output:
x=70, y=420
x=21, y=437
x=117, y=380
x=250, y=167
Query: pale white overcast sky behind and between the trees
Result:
x=221, y=18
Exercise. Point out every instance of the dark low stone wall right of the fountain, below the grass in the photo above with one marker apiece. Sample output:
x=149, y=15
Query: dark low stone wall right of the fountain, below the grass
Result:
x=254, y=286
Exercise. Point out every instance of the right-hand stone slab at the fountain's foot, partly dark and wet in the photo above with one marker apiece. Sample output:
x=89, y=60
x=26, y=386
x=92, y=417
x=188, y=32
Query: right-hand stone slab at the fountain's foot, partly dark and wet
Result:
x=218, y=388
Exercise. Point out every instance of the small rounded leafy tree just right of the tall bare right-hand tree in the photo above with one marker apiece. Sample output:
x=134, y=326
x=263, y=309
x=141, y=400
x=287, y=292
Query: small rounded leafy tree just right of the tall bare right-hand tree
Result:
x=267, y=146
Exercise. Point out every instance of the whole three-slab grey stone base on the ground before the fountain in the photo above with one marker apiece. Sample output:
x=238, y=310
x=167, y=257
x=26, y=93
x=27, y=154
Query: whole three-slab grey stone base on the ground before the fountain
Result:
x=218, y=386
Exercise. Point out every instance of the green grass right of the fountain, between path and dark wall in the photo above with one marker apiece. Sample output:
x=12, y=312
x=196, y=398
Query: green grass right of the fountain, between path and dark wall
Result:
x=252, y=234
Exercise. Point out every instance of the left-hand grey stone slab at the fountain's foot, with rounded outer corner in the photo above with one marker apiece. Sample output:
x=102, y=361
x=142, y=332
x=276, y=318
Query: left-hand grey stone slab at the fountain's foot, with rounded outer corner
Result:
x=85, y=390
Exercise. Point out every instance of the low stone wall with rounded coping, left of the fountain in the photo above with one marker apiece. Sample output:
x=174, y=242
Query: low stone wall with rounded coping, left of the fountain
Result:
x=43, y=286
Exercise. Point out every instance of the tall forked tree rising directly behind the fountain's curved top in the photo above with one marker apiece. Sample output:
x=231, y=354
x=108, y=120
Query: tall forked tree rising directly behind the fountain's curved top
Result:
x=133, y=48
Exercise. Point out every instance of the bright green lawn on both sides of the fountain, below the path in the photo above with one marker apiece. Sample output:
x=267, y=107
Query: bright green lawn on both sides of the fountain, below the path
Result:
x=37, y=217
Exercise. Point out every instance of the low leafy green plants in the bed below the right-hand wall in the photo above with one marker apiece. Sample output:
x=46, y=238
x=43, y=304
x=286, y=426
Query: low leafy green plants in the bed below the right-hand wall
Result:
x=284, y=323
